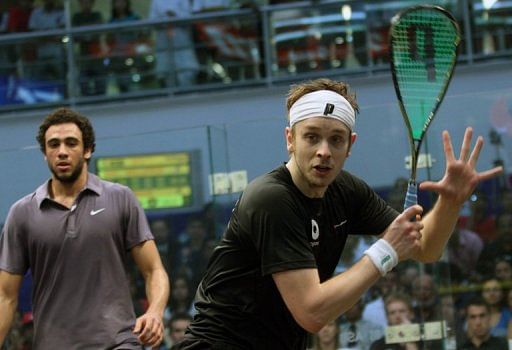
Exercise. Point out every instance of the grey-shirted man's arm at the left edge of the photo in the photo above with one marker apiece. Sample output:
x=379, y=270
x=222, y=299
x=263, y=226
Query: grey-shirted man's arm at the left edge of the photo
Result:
x=9, y=288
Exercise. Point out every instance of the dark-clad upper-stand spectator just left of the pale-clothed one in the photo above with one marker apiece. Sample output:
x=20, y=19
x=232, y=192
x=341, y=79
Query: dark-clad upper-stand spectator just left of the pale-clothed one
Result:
x=120, y=42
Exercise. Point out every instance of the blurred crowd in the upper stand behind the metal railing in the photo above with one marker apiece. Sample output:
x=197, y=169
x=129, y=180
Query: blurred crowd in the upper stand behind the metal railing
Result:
x=117, y=60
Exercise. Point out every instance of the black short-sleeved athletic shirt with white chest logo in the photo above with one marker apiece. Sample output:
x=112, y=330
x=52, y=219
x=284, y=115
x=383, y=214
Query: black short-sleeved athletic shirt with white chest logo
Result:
x=273, y=228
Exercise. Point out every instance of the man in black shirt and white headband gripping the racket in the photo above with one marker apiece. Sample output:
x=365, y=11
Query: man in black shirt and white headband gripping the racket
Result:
x=269, y=281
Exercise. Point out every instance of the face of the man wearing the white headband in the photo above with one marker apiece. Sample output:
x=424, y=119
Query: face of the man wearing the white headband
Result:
x=319, y=148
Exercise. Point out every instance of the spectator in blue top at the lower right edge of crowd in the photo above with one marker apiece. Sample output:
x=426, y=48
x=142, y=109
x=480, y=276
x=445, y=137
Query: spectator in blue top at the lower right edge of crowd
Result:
x=499, y=314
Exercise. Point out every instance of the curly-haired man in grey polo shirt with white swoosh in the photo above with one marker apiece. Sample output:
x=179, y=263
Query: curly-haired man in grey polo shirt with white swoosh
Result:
x=74, y=234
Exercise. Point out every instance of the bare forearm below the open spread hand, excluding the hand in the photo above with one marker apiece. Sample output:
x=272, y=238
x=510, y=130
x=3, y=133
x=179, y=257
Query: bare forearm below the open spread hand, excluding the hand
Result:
x=439, y=225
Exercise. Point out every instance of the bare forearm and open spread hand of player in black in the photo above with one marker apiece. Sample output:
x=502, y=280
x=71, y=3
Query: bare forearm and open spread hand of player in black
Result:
x=458, y=183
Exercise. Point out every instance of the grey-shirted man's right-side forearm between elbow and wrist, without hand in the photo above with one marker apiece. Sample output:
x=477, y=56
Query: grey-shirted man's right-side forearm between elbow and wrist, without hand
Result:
x=157, y=290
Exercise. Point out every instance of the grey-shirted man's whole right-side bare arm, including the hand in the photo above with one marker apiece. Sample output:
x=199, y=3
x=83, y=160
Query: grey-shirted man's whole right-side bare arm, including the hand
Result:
x=149, y=327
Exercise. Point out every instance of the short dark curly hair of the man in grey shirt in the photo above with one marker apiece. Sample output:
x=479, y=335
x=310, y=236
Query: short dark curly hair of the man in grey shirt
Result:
x=66, y=115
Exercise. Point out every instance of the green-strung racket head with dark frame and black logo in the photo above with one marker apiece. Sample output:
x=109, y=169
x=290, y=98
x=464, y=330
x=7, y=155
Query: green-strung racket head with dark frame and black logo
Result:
x=424, y=43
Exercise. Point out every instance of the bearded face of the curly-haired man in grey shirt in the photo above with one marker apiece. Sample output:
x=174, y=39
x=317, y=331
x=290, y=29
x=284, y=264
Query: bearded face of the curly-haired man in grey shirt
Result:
x=65, y=152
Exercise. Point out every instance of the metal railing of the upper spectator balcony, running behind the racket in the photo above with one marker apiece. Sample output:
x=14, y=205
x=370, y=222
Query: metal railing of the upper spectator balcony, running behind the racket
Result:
x=268, y=45
